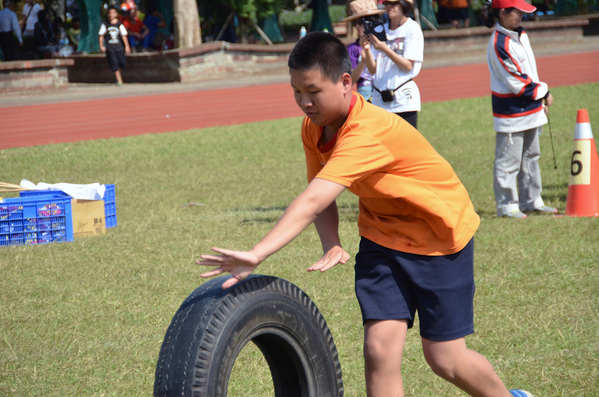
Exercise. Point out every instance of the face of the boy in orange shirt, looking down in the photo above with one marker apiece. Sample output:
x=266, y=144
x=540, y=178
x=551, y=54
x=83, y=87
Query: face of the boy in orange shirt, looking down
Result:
x=325, y=102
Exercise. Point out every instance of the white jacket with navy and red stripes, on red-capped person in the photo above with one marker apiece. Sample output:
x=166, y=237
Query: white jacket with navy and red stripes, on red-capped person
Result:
x=517, y=92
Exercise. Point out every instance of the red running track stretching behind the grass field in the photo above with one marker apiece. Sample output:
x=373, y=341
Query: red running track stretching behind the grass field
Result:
x=86, y=120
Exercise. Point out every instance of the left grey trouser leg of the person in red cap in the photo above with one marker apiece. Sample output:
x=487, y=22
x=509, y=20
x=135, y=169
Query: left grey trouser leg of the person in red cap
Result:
x=508, y=160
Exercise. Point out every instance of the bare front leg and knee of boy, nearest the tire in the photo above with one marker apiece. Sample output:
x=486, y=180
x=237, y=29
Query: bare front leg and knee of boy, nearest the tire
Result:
x=383, y=349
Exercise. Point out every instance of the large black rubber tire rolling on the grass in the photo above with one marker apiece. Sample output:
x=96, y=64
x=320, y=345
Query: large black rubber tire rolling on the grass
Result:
x=213, y=325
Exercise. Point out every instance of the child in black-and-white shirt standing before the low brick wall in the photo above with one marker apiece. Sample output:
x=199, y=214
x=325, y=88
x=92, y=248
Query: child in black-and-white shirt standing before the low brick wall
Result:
x=113, y=41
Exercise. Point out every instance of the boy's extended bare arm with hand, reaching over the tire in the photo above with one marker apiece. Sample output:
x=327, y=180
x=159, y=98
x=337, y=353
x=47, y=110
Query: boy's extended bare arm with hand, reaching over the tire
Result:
x=318, y=197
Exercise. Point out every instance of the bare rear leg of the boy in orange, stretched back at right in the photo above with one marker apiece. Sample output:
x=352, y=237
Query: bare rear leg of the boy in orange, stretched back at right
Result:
x=467, y=369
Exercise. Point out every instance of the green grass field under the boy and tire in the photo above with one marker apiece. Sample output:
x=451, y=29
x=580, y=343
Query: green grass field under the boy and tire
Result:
x=87, y=318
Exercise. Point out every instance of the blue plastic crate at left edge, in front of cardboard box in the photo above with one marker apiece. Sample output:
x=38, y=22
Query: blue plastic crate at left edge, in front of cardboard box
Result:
x=40, y=219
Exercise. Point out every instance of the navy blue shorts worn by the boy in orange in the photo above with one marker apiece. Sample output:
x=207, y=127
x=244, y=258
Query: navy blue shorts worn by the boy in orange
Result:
x=393, y=285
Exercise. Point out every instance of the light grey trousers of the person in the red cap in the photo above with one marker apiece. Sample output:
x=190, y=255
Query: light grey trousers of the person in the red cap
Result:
x=516, y=171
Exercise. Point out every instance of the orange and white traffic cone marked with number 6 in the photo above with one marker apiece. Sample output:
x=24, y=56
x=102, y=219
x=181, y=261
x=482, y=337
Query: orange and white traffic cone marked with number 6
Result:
x=583, y=187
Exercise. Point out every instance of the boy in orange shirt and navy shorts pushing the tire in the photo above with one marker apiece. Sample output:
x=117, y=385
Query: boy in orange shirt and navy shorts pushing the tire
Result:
x=416, y=222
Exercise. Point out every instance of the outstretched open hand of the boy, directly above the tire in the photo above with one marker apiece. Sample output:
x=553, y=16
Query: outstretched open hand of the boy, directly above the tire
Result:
x=239, y=263
